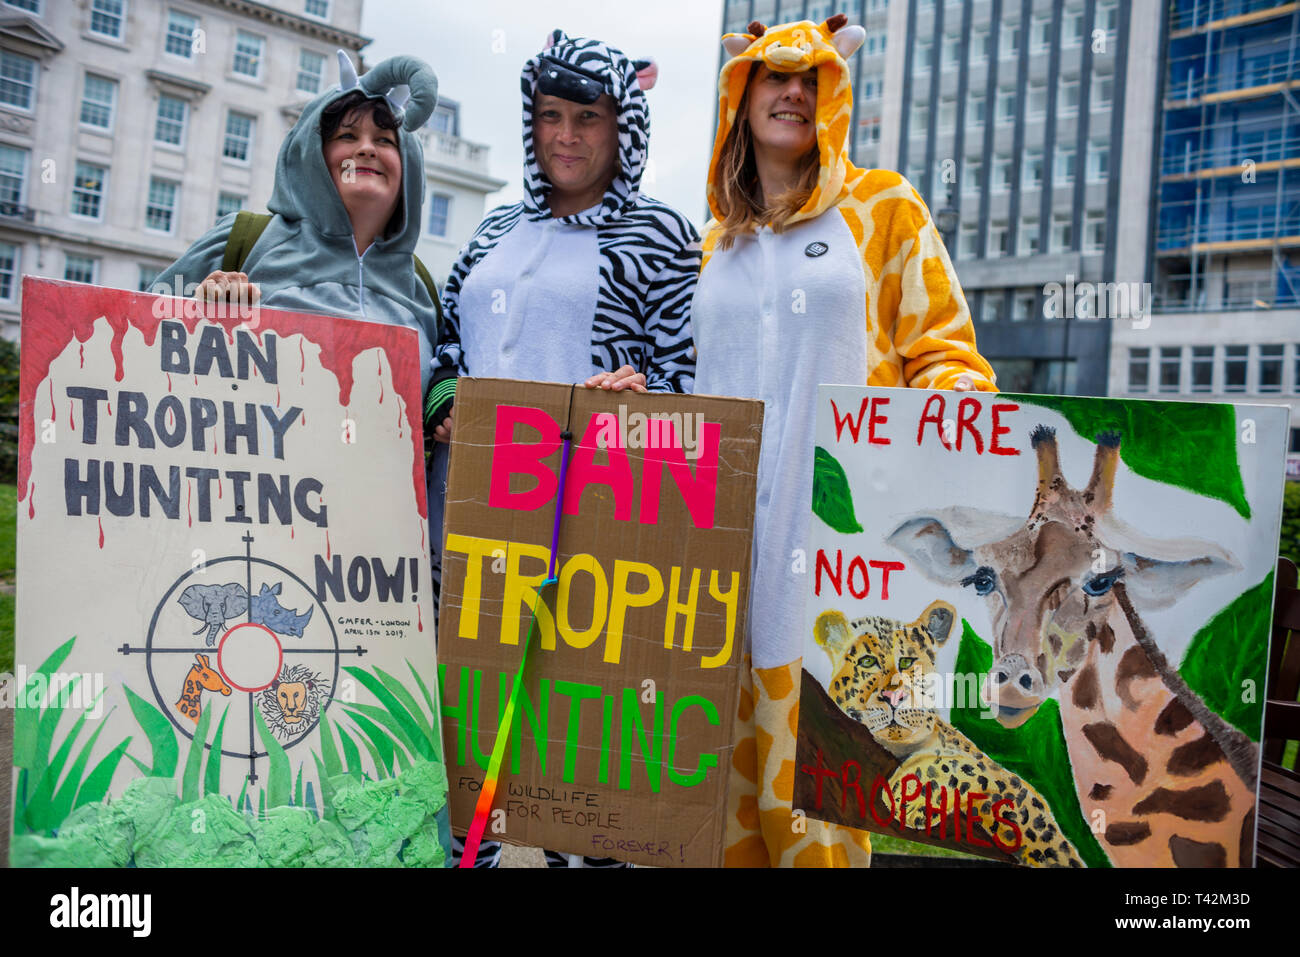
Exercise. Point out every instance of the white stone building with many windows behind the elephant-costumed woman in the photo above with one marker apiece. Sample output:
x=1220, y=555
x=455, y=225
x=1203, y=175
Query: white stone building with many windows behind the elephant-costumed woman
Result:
x=129, y=127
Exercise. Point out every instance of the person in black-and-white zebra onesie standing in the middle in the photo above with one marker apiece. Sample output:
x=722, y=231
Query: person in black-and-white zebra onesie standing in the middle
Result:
x=586, y=280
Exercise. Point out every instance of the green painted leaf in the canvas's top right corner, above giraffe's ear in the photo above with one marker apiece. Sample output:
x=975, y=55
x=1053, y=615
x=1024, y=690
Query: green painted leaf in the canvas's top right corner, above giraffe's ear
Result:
x=1185, y=444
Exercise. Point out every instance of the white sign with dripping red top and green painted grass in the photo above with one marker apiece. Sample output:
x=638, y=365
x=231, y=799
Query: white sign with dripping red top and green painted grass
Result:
x=224, y=634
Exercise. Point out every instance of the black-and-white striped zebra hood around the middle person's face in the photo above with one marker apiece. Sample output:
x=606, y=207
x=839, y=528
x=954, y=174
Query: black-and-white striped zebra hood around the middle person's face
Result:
x=634, y=129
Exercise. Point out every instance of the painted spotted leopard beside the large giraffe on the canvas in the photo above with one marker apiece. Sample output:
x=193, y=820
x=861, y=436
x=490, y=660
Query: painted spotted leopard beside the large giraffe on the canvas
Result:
x=882, y=674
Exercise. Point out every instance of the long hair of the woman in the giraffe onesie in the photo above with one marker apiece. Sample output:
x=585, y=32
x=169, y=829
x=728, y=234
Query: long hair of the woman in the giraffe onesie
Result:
x=739, y=194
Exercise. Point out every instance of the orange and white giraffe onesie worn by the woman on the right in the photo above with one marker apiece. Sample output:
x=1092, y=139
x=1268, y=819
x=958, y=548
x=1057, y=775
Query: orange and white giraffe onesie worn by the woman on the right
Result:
x=856, y=288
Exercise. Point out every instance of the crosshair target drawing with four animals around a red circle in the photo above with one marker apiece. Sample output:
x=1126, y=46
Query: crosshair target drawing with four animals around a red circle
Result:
x=272, y=651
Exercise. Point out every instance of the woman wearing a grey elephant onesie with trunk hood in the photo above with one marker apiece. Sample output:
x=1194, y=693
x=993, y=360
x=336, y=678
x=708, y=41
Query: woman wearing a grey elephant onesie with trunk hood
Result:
x=346, y=211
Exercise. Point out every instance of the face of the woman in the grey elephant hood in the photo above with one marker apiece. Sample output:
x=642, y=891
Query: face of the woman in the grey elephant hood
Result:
x=366, y=164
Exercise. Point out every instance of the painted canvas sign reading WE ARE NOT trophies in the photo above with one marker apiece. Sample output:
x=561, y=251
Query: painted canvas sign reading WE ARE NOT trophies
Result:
x=1038, y=626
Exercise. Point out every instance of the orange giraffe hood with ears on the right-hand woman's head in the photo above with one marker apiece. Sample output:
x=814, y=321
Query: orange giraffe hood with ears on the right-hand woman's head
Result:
x=792, y=49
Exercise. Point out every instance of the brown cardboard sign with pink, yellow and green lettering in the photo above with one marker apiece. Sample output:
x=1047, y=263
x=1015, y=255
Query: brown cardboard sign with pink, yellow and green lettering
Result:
x=622, y=742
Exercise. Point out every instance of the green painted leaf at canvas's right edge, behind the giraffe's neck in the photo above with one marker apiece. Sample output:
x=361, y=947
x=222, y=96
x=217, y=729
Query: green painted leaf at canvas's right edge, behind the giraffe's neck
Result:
x=1229, y=652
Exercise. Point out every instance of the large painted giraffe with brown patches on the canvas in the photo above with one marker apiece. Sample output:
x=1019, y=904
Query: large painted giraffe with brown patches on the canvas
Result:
x=1164, y=780
